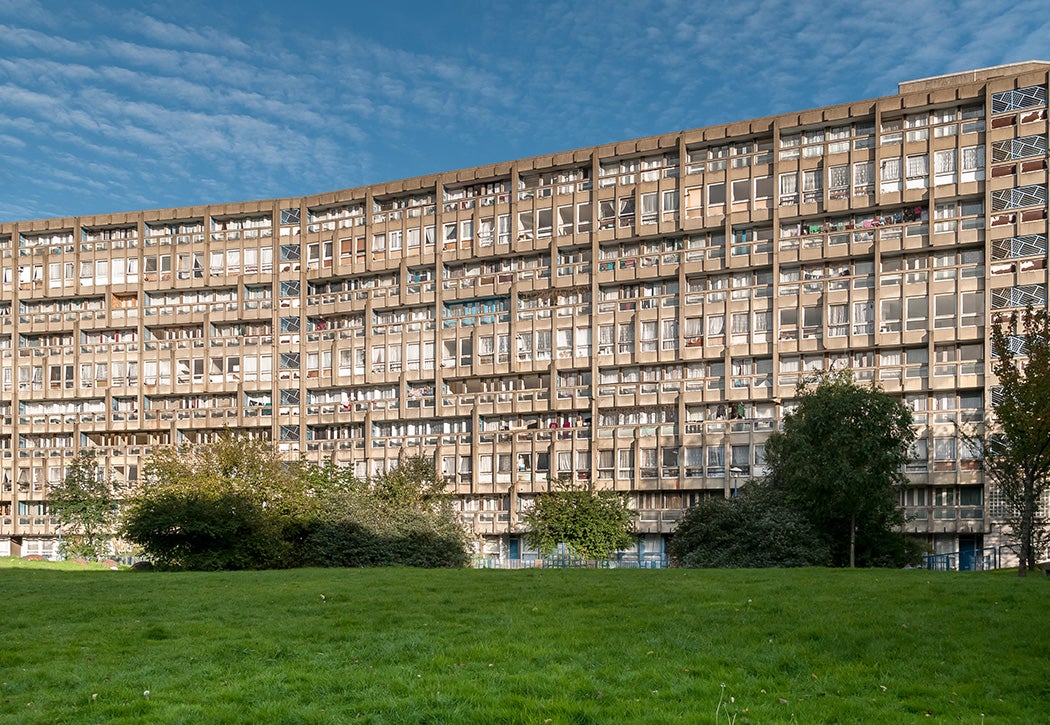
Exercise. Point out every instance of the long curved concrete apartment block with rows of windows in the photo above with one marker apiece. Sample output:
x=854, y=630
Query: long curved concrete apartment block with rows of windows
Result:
x=636, y=316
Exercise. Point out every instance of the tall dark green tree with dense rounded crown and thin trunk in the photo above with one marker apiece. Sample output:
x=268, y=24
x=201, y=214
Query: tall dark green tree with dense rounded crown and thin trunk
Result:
x=839, y=460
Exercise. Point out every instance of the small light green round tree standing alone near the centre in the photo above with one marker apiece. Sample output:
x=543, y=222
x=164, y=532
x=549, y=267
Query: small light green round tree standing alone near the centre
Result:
x=593, y=524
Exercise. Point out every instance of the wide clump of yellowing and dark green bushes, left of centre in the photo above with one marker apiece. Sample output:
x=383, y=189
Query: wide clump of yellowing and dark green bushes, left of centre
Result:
x=237, y=504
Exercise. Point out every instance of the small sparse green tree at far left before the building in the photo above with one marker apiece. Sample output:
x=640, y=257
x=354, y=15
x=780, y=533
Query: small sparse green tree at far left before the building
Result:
x=86, y=505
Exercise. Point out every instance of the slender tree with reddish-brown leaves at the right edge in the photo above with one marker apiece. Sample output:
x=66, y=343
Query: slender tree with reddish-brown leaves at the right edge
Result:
x=1017, y=450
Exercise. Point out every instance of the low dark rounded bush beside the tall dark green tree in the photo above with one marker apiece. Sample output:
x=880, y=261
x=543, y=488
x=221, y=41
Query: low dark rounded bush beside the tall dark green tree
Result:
x=753, y=530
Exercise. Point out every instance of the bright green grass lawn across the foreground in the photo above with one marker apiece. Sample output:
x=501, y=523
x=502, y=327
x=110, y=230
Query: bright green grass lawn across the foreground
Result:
x=531, y=647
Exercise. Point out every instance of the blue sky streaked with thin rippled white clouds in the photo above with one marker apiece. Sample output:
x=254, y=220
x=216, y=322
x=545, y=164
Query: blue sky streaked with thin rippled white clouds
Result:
x=117, y=107
